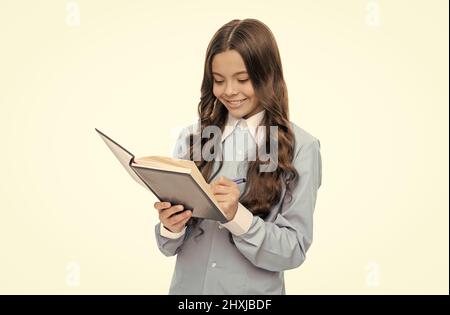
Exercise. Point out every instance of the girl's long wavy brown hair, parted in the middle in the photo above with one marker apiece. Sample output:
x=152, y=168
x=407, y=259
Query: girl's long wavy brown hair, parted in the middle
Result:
x=256, y=44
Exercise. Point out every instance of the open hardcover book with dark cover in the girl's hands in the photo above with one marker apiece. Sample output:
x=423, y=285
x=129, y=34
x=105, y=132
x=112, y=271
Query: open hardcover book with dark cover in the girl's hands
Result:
x=173, y=180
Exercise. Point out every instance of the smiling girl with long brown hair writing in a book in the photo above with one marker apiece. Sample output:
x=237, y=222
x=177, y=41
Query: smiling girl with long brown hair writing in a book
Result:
x=270, y=225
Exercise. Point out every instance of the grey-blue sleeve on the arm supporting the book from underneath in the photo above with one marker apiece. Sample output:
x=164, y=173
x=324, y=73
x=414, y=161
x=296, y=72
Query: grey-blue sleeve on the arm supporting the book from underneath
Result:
x=167, y=244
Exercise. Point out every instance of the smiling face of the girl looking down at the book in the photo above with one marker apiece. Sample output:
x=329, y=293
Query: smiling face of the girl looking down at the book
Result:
x=232, y=83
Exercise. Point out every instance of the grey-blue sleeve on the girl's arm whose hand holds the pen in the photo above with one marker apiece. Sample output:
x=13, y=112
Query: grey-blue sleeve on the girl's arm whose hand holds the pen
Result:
x=282, y=243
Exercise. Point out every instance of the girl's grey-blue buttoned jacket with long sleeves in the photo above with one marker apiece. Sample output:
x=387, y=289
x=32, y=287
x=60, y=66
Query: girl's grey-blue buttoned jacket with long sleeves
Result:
x=254, y=264
